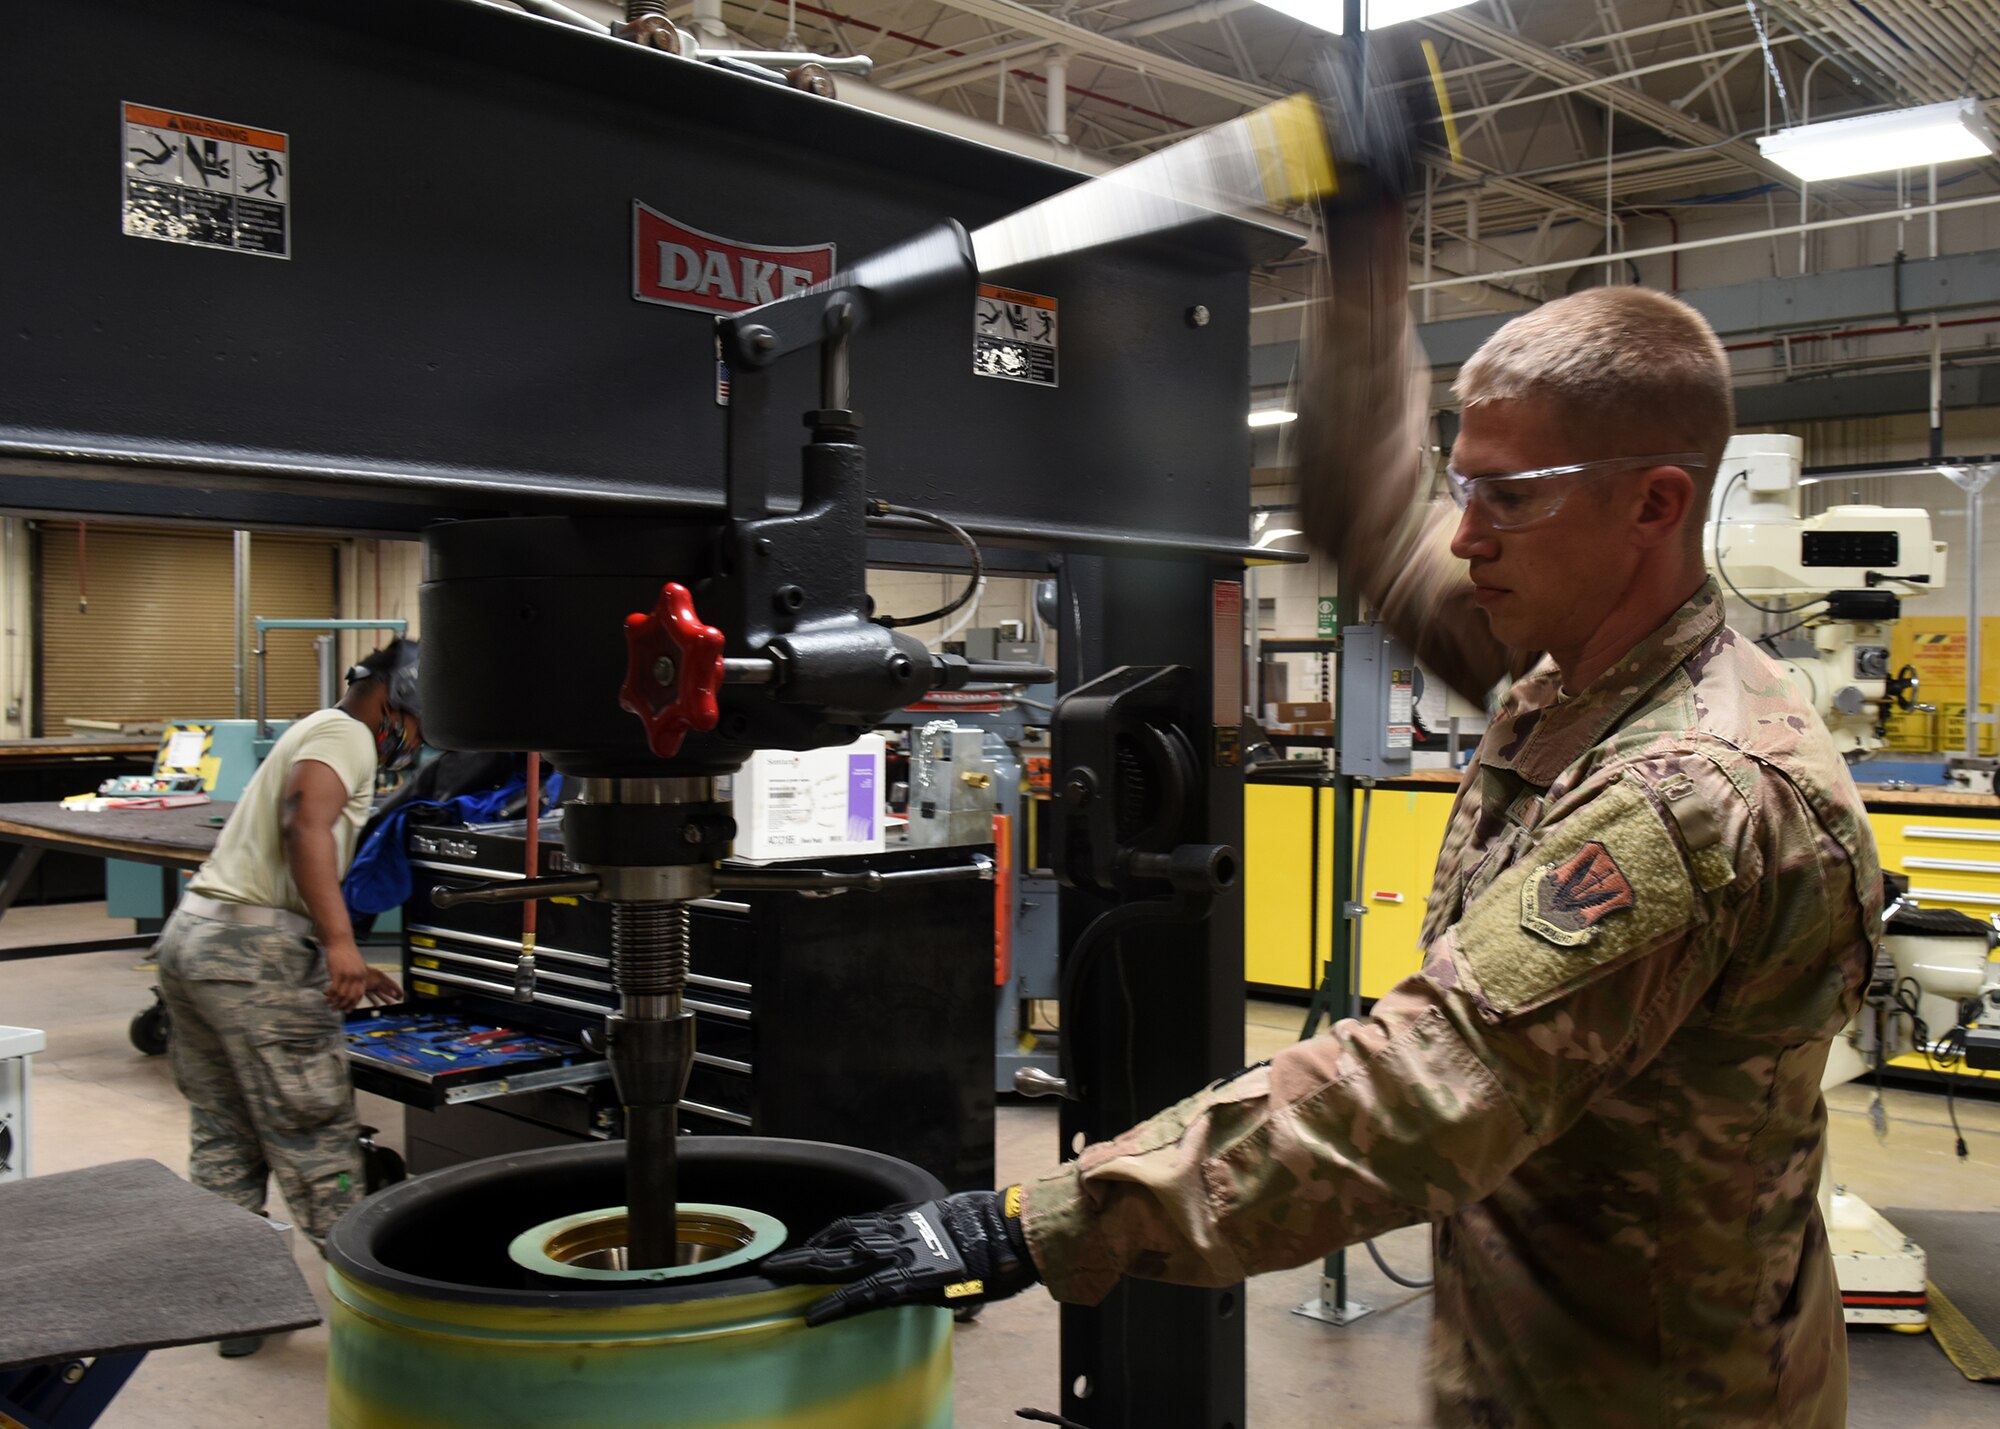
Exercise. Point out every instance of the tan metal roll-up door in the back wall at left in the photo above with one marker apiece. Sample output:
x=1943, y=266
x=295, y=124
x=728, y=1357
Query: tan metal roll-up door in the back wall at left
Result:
x=141, y=625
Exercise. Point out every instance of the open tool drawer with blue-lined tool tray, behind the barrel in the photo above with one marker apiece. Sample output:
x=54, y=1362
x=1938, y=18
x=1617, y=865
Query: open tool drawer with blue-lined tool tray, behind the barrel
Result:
x=441, y=1058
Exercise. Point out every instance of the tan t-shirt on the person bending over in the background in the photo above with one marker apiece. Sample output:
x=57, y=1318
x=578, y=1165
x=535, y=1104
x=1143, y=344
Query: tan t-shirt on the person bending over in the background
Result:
x=249, y=862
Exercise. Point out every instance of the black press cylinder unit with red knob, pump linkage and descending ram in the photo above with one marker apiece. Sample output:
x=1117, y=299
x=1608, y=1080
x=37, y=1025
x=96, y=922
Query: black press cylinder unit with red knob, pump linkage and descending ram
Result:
x=647, y=724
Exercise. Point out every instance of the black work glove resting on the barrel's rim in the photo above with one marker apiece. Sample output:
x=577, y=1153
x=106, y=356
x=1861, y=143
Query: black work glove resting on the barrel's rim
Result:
x=965, y=1250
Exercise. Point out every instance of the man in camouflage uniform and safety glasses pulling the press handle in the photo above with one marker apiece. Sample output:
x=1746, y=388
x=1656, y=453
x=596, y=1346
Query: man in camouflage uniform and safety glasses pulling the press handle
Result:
x=1653, y=912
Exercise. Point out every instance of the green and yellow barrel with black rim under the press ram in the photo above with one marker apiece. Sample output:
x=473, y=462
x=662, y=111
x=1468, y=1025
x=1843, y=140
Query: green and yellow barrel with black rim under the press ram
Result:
x=487, y=1296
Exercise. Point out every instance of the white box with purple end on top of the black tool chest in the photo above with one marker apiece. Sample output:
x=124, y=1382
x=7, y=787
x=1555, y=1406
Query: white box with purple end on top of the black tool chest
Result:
x=817, y=804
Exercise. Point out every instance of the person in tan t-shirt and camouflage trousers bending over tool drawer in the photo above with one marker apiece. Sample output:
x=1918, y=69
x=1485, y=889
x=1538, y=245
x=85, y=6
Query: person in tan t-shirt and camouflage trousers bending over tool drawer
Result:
x=259, y=960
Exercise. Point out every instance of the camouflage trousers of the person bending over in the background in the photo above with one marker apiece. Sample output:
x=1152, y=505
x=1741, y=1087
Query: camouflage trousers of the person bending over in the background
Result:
x=259, y=1056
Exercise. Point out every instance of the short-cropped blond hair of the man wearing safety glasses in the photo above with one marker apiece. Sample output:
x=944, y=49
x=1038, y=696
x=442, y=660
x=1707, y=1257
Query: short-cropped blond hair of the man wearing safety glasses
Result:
x=1631, y=367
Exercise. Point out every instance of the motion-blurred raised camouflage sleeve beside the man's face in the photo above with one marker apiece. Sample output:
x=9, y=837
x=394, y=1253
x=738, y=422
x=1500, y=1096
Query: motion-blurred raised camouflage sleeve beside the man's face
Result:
x=1365, y=405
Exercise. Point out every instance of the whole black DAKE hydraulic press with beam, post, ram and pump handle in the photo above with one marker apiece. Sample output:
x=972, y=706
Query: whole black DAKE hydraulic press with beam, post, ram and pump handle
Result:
x=489, y=315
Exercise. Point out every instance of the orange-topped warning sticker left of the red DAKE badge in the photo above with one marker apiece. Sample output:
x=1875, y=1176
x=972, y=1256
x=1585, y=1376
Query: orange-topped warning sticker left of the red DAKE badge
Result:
x=207, y=183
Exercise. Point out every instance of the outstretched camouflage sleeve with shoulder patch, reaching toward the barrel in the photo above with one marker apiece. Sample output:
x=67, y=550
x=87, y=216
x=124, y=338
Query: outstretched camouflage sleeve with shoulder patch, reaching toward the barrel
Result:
x=1563, y=980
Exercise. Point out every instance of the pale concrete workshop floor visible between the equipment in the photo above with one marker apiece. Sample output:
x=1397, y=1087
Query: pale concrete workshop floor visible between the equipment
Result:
x=97, y=1100
